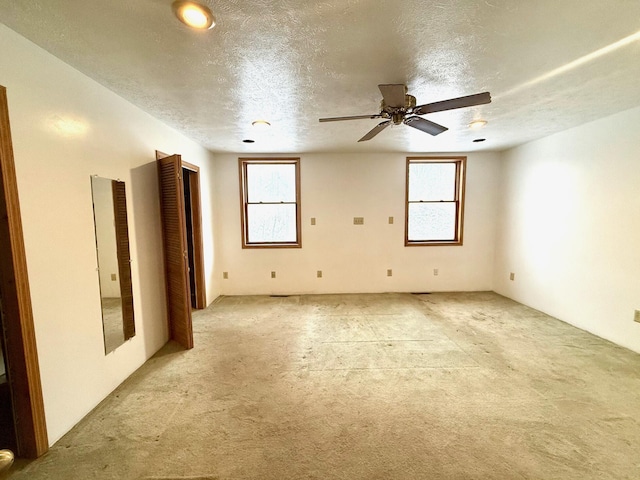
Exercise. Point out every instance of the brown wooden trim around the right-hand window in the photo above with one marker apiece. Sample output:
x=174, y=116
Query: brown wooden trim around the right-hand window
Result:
x=461, y=169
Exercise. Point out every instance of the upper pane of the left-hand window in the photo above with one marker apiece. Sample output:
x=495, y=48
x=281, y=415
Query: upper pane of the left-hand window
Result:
x=271, y=182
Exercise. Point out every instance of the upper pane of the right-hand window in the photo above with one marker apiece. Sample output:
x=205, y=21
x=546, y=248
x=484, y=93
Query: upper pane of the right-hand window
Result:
x=432, y=181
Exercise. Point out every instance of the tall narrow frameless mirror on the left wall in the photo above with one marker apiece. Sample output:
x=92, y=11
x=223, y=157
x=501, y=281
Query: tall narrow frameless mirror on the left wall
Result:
x=114, y=261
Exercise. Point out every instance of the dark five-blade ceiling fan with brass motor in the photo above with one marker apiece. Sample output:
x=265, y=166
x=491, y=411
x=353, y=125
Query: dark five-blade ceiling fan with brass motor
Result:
x=399, y=107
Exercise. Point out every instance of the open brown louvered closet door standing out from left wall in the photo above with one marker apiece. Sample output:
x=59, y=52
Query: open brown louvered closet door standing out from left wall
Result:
x=175, y=250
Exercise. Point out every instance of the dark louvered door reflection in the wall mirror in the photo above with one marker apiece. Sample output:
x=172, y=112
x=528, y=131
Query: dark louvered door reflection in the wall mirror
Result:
x=124, y=257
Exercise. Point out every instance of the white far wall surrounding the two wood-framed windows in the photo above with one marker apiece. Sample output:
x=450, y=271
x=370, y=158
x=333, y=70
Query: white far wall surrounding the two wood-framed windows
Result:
x=334, y=189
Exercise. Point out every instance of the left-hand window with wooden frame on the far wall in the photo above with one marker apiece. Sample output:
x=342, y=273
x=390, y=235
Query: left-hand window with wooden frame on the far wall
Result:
x=270, y=196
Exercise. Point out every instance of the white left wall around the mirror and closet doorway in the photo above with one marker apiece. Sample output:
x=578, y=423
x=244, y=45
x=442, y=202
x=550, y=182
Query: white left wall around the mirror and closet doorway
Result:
x=107, y=136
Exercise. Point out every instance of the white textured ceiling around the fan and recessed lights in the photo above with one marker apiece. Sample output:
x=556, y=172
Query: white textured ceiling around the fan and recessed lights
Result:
x=292, y=62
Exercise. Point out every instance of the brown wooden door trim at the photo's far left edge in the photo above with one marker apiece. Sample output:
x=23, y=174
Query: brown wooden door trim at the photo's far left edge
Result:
x=22, y=355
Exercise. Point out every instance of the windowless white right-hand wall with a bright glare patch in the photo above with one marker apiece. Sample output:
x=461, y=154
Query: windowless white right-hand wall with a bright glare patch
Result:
x=569, y=227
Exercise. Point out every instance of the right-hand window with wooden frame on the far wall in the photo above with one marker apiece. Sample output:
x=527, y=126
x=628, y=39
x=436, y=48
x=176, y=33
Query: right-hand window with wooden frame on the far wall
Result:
x=435, y=200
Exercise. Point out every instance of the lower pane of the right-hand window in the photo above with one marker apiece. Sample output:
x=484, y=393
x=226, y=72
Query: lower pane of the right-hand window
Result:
x=432, y=221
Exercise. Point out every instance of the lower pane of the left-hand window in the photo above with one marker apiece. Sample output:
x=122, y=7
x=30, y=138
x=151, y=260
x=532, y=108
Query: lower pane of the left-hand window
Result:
x=271, y=223
